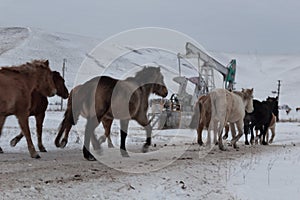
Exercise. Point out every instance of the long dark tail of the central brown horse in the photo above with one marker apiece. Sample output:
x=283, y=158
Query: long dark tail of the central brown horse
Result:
x=70, y=119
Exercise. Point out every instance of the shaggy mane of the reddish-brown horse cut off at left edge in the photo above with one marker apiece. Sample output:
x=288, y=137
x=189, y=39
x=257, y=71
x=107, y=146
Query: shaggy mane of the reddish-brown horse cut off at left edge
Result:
x=25, y=68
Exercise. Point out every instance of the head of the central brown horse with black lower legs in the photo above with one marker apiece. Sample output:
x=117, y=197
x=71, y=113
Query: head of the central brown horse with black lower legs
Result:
x=153, y=77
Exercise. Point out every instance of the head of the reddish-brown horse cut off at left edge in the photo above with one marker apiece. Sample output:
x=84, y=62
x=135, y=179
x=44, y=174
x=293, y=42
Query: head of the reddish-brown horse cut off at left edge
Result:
x=45, y=84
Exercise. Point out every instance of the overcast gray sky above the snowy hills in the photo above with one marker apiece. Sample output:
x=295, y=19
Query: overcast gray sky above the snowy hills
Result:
x=246, y=26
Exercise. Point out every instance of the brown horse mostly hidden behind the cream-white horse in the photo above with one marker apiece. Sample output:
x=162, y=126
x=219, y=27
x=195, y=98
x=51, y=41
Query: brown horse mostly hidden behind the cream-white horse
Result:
x=202, y=117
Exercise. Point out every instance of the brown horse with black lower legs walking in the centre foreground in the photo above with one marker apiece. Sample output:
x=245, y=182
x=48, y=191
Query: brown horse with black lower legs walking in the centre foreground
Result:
x=103, y=99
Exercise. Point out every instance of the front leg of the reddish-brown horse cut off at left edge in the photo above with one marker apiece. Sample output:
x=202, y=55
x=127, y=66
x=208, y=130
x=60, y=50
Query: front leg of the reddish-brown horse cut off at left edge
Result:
x=23, y=122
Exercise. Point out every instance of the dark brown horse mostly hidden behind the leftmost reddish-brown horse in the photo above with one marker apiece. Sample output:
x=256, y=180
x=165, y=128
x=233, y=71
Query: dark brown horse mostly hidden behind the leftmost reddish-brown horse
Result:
x=39, y=104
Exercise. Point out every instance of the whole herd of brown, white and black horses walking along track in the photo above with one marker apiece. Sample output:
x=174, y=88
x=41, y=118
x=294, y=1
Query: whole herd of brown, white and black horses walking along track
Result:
x=103, y=99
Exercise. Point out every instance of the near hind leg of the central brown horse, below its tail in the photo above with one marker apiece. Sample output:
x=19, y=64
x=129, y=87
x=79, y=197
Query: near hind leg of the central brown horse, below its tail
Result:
x=91, y=124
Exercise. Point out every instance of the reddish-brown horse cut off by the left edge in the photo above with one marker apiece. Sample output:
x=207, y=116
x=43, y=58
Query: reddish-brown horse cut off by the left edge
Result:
x=16, y=86
